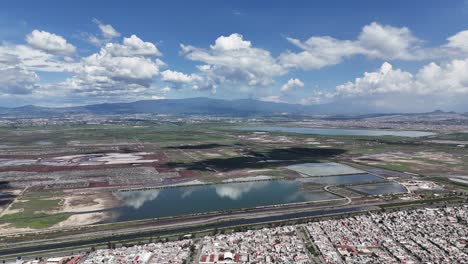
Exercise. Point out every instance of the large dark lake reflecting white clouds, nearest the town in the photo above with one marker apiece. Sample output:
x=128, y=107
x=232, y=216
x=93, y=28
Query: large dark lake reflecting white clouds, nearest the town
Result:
x=199, y=199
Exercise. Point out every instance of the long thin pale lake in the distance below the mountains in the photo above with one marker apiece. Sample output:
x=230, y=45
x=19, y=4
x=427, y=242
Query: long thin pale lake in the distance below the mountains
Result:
x=338, y=131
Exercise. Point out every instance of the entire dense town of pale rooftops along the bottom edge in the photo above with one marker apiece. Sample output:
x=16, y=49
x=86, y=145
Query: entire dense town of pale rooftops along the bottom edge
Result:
x=428, y=235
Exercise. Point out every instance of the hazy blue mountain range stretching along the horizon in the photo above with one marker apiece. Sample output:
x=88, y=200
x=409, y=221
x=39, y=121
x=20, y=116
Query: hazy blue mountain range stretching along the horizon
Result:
x=199, y=105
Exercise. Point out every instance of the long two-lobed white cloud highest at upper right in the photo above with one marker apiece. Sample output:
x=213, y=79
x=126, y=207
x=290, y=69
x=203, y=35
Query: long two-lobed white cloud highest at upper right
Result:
x=375, y=40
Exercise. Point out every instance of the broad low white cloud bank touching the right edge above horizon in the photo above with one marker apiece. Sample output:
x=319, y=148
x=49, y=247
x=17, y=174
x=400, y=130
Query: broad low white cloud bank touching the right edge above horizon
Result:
x=443, y=86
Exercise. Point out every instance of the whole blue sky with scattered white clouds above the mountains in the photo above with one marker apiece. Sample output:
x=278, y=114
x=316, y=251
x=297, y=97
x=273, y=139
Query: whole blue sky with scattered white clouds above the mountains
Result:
x=394, y=55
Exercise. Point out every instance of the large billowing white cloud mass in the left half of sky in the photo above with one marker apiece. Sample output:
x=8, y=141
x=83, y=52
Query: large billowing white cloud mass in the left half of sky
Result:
x=127, y=66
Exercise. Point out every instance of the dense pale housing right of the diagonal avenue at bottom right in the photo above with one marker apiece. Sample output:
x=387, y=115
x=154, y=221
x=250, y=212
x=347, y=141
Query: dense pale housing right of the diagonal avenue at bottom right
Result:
x=414, y=236
